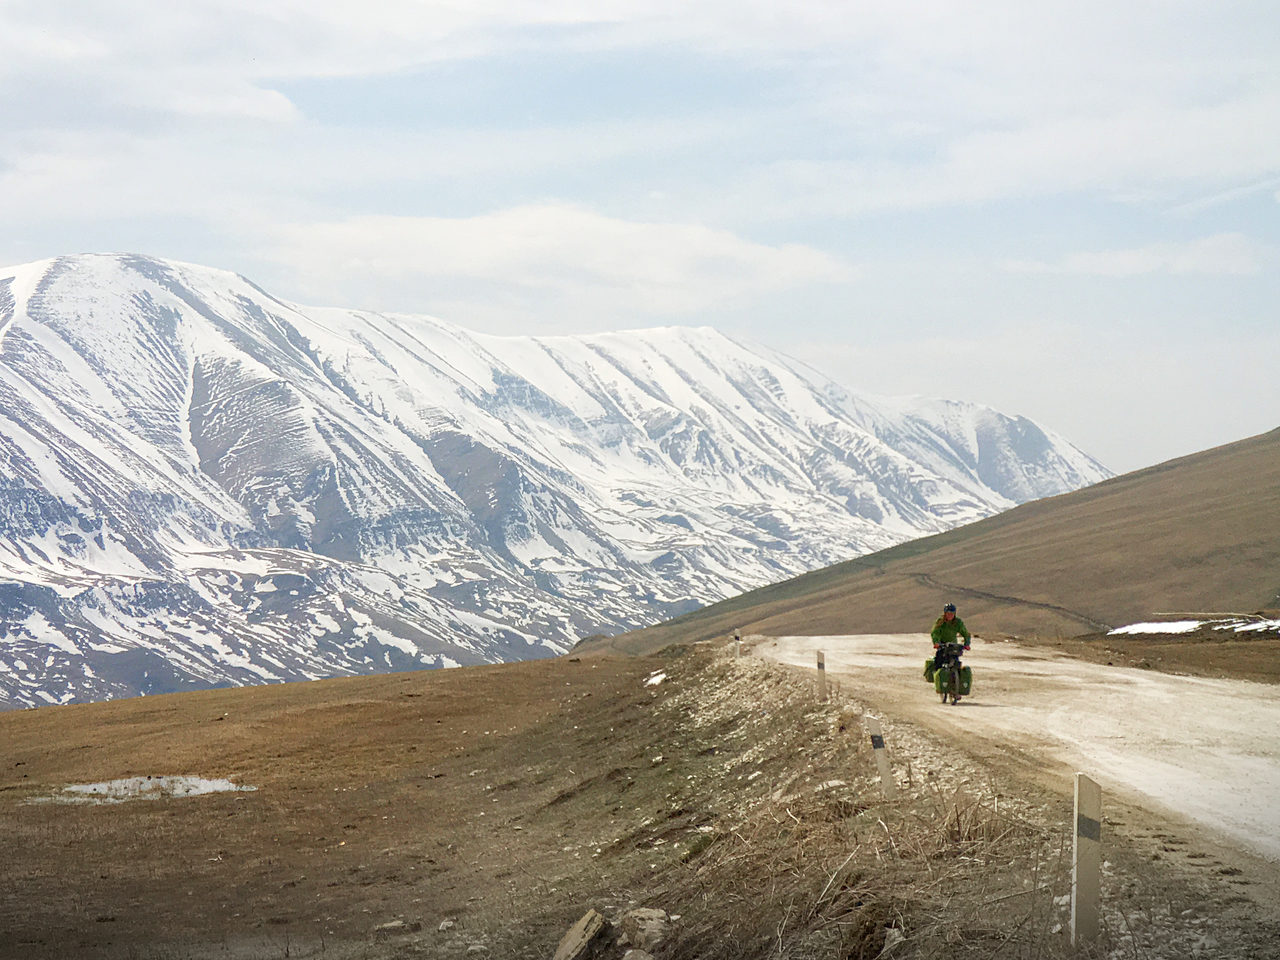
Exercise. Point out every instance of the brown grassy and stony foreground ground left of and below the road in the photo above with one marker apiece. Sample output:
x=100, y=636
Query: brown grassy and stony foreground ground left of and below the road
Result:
x=484, y=812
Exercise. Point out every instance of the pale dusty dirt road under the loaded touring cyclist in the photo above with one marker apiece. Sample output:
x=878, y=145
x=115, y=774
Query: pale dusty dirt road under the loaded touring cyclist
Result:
x=1185, y=748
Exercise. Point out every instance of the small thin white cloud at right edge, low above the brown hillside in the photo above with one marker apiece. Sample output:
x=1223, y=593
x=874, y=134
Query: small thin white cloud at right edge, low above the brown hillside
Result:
x=1222, y=255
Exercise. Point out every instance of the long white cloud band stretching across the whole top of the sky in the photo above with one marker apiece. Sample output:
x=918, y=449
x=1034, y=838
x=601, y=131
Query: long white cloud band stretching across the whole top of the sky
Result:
x=959, y=62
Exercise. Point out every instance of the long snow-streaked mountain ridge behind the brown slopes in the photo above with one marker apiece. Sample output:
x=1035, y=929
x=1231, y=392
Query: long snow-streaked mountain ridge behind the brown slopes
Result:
x=202, y=484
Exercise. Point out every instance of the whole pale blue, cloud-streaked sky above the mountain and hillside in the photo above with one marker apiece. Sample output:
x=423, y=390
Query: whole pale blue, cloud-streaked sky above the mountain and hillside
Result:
x=1067, y=211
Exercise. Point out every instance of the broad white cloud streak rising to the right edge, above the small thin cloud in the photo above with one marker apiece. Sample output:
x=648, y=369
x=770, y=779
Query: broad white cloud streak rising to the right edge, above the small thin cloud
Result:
x=1119, y=153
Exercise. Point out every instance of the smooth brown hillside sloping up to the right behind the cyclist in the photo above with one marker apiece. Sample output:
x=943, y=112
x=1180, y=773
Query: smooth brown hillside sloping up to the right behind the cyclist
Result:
x=1201, y=533
